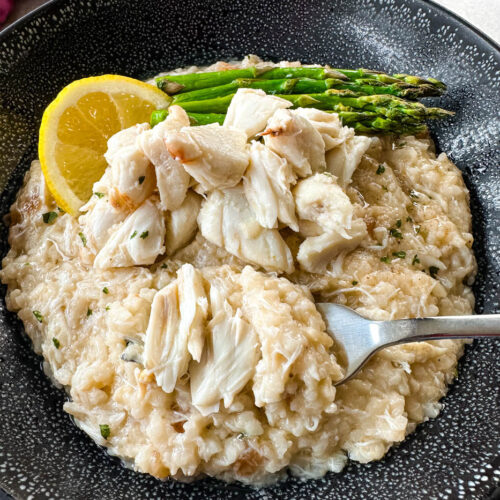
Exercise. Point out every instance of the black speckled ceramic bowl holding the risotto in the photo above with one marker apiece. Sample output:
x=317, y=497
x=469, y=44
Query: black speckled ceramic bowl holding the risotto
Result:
x=42, y=454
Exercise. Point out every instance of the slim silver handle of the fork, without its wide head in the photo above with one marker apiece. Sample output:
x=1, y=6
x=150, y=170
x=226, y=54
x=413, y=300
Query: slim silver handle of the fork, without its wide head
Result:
x=445, y=327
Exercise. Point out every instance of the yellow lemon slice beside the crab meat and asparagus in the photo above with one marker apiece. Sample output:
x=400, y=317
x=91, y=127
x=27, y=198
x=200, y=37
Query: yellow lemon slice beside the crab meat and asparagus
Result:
x=77, y=124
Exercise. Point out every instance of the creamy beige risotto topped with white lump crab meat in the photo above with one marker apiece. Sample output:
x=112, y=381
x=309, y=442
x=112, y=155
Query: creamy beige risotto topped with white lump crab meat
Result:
x=178, y=310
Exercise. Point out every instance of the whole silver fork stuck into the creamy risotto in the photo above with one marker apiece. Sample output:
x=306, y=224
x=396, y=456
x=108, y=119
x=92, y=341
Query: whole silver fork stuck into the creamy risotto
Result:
x=360, y=338
